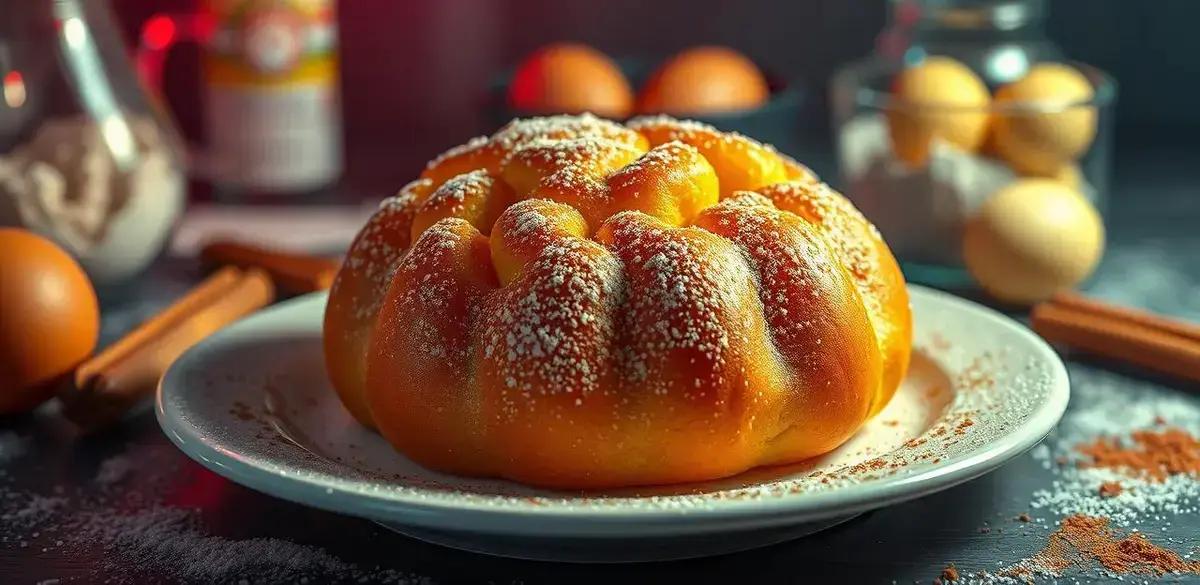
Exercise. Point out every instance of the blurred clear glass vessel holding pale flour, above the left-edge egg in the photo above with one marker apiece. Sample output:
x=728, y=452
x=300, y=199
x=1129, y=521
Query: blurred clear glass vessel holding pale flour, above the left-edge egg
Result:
x=86, y=156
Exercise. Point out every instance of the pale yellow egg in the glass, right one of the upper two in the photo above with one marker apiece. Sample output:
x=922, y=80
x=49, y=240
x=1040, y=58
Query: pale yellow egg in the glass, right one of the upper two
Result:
x=1040, y=129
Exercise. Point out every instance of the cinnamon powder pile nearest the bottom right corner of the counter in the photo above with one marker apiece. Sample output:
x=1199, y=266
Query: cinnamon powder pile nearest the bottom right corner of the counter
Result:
x=1082, y=539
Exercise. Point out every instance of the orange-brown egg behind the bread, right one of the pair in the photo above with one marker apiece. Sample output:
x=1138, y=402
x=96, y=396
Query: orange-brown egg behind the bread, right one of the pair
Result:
x=705, y=81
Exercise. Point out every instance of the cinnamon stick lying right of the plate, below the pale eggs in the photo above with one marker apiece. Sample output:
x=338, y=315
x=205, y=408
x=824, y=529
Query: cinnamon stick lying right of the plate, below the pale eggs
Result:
x=1120, y=334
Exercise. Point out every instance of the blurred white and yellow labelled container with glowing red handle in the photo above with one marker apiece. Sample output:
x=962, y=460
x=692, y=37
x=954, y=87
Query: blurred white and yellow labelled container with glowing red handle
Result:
x=273, y=113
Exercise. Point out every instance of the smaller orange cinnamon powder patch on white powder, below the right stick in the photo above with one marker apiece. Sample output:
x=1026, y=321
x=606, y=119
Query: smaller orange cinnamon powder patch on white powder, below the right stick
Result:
x=1156, y=455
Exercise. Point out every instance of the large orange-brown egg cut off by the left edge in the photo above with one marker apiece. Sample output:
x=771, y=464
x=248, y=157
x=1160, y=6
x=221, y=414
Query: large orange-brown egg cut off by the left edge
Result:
x=50, y=318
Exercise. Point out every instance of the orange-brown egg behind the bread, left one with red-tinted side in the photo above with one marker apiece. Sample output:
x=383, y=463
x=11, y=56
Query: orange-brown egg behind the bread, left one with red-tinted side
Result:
x=571, y=79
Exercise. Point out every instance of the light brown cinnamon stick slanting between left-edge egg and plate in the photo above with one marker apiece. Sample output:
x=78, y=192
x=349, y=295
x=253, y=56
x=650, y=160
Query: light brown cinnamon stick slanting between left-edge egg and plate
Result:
x=129, y=371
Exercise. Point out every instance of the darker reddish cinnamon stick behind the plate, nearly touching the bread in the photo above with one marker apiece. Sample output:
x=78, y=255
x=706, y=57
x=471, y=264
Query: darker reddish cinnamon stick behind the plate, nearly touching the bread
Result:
x=292, y=273
